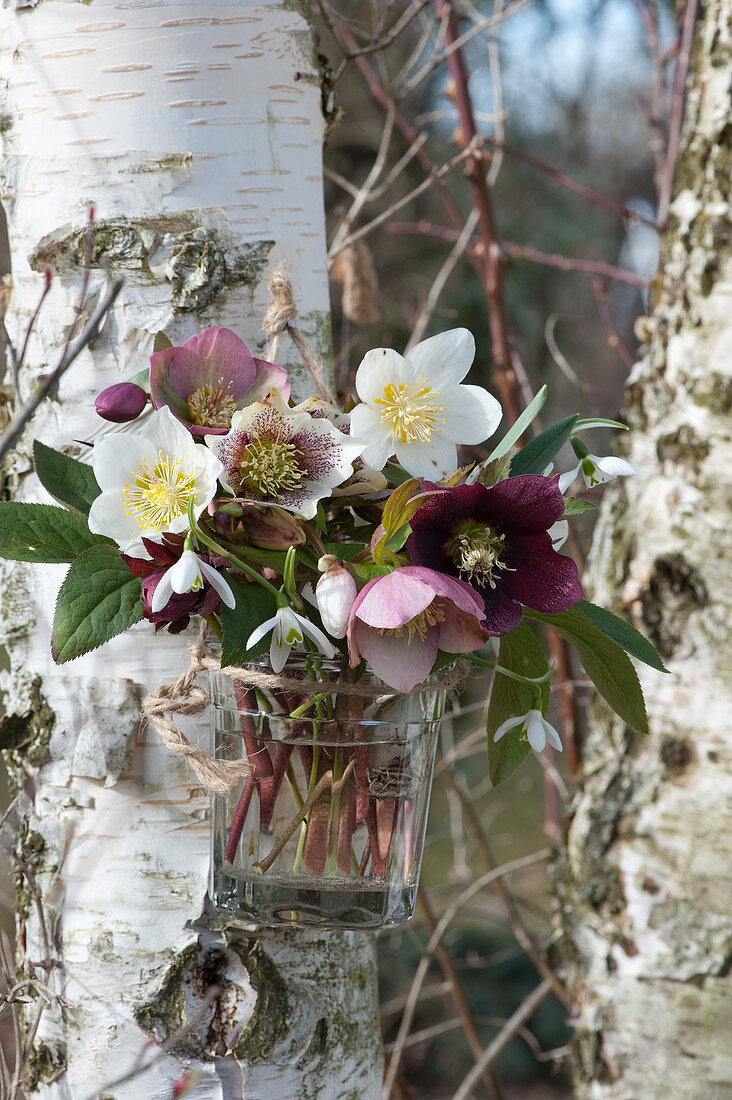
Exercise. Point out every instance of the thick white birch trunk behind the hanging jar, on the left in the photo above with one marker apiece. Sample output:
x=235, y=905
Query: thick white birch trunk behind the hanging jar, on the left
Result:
x=196, y=133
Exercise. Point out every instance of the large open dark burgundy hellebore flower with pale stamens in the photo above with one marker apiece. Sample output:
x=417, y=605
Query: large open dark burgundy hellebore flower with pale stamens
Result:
x=497, y=541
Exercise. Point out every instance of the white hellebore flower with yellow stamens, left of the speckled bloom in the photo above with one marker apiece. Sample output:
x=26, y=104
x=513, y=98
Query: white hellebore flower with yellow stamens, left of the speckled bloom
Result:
x=147, y=480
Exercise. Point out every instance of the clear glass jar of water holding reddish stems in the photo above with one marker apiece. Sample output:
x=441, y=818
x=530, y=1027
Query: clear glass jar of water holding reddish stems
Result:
x=329, y=829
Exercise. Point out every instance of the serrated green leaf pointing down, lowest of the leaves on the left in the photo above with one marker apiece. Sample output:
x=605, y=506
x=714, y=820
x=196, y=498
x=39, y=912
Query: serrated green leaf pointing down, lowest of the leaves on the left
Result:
x=99, y=600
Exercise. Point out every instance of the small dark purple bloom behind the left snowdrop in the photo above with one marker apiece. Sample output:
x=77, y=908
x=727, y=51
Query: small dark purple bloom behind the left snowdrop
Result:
x=179, y=610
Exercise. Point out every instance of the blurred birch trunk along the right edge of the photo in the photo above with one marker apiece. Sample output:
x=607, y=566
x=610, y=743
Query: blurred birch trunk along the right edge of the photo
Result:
x=647, y=878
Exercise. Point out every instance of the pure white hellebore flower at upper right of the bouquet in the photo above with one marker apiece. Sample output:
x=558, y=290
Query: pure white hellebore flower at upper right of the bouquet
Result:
x=414, y=406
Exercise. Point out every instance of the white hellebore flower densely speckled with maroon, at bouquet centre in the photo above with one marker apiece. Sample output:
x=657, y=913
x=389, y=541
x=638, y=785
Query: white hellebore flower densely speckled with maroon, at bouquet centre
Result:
x=277, y=456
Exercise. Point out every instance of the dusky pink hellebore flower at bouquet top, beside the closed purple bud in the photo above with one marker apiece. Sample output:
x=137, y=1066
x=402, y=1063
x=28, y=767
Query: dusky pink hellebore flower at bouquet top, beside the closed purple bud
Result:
x=210, y=378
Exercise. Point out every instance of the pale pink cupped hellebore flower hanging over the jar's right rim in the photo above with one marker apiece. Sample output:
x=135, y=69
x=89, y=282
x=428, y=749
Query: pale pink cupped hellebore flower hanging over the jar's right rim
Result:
x=400, y=621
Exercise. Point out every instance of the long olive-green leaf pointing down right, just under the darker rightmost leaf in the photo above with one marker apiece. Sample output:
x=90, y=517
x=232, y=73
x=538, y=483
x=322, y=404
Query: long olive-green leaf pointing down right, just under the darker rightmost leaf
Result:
x=606, y=664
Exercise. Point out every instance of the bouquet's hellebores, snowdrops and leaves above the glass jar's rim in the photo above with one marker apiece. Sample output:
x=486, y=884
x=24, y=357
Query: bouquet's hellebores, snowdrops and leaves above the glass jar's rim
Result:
x=352, y=535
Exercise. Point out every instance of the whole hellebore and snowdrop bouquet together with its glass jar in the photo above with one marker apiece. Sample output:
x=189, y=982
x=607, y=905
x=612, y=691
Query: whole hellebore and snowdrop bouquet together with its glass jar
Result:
x=354, y=548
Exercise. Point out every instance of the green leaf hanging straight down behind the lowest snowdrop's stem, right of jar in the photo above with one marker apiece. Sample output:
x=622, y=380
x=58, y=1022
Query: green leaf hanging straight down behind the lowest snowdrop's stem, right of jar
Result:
x=521, y=653
